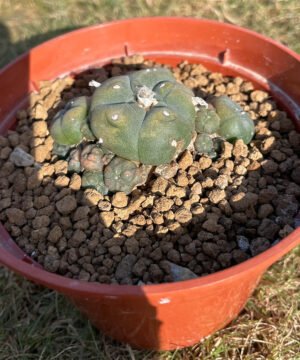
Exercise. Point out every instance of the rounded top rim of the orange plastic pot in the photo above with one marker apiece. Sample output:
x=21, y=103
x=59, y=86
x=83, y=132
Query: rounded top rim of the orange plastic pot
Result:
x=64, y=284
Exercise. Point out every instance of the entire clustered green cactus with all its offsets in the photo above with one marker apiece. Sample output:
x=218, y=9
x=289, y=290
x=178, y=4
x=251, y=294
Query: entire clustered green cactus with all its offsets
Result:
x=145, y=117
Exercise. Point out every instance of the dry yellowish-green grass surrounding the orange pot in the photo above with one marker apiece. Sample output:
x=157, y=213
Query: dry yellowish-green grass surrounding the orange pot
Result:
x=36, y=323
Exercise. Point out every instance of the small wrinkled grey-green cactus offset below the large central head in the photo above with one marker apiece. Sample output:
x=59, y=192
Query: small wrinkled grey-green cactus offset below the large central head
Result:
x=123, y=175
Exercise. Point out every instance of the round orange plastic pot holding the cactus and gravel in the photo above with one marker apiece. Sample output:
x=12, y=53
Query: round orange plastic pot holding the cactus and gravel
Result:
x=171, y=315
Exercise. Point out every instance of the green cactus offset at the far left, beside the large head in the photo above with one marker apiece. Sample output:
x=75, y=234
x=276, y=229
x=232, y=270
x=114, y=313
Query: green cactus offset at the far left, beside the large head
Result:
x=67, y=124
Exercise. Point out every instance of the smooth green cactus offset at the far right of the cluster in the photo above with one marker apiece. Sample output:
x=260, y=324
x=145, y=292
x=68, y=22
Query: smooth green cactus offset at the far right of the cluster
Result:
x=235, y=123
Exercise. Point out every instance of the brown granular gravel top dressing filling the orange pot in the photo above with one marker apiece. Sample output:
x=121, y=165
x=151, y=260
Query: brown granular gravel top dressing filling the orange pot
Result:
x=208, y=216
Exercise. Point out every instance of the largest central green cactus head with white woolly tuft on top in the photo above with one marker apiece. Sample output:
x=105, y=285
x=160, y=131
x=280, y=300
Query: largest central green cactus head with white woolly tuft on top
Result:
x=146, y=116
